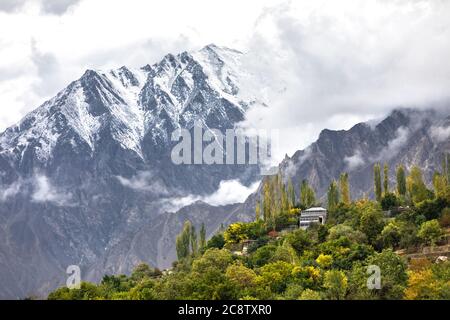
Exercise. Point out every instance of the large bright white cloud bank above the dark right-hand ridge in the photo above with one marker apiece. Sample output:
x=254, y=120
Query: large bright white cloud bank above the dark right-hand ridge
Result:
x=332, y=64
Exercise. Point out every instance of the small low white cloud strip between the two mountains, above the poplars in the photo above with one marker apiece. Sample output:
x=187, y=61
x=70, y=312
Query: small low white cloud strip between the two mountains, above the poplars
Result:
x=229, y=192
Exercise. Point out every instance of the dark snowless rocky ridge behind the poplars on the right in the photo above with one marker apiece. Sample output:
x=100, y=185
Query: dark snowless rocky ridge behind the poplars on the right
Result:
x=406, y=137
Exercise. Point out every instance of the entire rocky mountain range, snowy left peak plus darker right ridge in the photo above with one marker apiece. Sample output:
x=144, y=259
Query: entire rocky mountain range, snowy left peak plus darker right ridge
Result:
x=86, y=178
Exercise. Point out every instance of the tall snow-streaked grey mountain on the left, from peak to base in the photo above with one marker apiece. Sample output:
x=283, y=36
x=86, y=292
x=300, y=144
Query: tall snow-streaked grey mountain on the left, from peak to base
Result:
x=84, y=172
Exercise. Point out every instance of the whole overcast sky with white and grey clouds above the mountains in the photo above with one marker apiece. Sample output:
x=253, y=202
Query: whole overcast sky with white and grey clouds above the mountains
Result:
x=320, y=63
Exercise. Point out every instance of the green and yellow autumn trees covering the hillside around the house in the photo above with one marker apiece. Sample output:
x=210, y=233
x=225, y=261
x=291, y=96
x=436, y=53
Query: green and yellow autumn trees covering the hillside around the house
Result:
x=327, y=261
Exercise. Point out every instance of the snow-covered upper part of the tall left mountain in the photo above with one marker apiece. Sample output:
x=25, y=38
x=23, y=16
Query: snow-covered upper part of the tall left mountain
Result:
x=129, y=105
